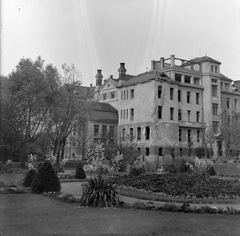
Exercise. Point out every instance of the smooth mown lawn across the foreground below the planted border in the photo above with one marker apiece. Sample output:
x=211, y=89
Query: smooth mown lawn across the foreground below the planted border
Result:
x=30, y=214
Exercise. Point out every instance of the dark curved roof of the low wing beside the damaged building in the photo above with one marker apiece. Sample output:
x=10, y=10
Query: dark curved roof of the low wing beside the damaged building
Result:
x=103, y=112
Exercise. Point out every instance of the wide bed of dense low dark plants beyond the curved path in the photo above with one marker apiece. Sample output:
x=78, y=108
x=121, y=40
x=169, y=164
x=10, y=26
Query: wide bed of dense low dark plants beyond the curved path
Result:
x=184, y=185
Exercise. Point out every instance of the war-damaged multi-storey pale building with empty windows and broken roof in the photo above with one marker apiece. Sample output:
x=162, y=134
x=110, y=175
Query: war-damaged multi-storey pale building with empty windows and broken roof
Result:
x=174, y=103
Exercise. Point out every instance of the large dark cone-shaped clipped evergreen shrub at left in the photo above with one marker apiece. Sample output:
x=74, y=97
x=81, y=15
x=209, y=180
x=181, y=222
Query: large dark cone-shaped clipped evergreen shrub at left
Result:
x=46, y=180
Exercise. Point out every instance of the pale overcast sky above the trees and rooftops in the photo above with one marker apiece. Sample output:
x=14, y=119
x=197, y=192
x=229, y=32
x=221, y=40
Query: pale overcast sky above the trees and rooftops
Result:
x=99, y=34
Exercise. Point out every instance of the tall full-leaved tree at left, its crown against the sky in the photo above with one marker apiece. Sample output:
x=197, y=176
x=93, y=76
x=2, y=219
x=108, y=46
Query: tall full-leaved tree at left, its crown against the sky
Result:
x=32, y=90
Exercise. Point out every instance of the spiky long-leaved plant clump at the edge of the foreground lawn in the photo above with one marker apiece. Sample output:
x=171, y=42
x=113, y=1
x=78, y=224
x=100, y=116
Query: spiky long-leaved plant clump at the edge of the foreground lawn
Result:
x=99, y=192
